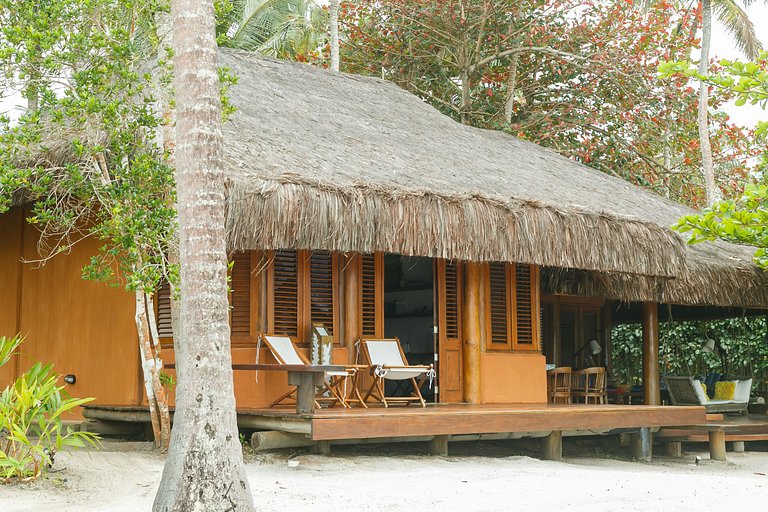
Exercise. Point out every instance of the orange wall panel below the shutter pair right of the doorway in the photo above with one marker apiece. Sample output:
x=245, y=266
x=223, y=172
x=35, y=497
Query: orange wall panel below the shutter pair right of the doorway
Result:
x=513, y=378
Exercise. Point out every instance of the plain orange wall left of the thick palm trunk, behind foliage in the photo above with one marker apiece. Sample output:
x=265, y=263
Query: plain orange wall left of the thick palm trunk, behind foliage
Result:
x=85, y=328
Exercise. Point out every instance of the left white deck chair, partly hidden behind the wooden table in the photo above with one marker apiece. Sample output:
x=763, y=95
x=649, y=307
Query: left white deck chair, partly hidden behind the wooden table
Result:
x=333, y=390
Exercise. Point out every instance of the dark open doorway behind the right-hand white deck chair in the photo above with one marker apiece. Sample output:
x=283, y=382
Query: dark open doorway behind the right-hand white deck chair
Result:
x=409, y=308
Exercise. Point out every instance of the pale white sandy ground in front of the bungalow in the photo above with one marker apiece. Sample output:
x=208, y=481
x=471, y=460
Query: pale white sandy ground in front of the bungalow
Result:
x=483, y=476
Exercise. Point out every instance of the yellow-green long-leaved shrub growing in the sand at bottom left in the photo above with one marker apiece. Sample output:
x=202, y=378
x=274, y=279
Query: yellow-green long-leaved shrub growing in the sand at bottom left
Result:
x=31, y=429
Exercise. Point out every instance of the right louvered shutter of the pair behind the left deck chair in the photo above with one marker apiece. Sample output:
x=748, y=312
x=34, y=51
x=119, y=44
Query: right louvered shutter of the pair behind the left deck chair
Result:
x=323, y=282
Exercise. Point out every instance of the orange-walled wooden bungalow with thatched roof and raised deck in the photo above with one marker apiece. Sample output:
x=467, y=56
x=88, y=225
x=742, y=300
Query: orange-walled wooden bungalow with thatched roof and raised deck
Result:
x=354, y=204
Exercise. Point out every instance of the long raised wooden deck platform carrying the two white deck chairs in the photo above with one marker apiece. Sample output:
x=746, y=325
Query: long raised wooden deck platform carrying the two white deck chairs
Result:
x=444, y=419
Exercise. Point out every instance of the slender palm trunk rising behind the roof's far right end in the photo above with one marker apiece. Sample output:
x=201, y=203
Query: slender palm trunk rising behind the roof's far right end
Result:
x=707, y=166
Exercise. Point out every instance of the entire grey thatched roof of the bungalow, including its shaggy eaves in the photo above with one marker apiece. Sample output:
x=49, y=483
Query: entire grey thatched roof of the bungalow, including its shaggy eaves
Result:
x=351, y=163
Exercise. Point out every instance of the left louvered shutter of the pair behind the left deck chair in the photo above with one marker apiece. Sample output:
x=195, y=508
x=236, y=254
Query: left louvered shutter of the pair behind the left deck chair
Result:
x=284, y=306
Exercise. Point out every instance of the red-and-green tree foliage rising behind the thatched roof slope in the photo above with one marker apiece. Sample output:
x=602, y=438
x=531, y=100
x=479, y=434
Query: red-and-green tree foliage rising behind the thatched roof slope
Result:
x=580, y=77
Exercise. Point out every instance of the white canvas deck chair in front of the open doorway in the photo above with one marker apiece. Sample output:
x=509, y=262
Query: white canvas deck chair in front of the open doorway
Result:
x=388, y=362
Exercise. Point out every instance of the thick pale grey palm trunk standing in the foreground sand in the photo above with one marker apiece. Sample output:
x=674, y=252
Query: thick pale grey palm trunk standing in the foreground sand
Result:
x=204, y=469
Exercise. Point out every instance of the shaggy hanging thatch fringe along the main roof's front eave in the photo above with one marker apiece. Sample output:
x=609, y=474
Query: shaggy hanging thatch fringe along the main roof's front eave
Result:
x=295, y=213
